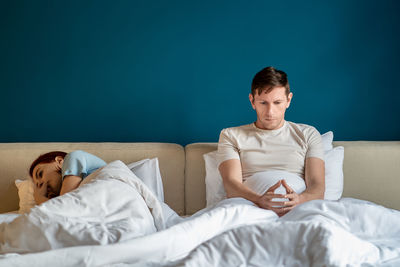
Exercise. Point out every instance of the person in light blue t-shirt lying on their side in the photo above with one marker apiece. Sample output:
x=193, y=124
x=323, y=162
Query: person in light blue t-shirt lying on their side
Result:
x=56, y=173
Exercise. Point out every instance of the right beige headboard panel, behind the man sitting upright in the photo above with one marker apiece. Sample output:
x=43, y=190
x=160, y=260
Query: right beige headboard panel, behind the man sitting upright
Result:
x=371, y=172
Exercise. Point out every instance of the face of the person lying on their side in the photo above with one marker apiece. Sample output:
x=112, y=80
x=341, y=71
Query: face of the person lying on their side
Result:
x=49, y=175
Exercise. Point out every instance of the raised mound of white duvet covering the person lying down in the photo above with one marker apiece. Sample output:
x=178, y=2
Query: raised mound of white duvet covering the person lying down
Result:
x=112, y=205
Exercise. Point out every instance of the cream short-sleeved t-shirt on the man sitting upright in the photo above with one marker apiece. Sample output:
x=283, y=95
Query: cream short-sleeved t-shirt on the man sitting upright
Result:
x=260, y=150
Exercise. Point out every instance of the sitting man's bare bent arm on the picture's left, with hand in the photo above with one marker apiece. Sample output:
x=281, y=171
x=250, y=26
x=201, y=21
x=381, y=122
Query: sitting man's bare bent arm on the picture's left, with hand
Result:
x=231, y=172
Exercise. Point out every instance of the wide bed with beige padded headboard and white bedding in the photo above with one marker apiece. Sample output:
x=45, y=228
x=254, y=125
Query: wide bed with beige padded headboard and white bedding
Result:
x=183, y=231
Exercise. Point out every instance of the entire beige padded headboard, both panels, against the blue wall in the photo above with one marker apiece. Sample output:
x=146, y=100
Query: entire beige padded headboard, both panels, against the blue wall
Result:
x=371, y=169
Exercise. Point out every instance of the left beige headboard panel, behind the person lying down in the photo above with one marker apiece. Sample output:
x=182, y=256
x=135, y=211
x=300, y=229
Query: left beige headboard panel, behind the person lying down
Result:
x=15, y=160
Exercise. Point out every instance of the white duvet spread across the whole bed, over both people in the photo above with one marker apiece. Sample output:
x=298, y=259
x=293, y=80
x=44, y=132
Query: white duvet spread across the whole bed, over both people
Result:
x=115, y=220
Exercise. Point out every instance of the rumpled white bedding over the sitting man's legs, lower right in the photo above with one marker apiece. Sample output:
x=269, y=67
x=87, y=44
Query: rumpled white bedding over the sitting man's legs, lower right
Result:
x=348, y=232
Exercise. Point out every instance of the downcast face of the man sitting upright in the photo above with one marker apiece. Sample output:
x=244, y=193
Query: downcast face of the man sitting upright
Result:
x=271, y=107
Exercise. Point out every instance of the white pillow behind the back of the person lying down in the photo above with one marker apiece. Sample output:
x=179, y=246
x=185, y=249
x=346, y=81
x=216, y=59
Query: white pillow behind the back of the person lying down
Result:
x=148, y=171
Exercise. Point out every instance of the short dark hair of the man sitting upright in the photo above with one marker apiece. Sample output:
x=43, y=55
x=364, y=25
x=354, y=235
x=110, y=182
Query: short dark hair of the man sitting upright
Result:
x=267, y=79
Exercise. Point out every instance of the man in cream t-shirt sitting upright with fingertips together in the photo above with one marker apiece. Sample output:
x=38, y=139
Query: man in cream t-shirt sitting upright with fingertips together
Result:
x=272, y=143
